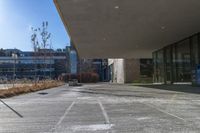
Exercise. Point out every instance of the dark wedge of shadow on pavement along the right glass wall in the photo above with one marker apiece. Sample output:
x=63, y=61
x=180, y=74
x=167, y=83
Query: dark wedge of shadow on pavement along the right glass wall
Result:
x=177, y=88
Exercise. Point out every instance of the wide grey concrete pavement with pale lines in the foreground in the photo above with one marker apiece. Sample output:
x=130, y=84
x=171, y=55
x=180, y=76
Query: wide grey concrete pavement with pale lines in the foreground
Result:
x=101, y=108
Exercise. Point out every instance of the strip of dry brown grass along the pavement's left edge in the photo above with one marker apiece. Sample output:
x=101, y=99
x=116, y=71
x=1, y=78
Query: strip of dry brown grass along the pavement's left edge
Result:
x=29, y=88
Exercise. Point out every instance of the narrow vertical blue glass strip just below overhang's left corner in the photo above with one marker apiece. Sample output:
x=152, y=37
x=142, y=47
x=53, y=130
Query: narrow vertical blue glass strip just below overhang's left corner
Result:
x=73, y=58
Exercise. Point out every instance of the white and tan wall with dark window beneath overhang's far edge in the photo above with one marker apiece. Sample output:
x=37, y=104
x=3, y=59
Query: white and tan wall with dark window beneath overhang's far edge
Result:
x=131, y=70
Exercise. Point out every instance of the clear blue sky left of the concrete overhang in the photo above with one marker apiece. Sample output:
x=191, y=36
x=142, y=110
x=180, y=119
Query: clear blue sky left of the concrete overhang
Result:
x=18, y=16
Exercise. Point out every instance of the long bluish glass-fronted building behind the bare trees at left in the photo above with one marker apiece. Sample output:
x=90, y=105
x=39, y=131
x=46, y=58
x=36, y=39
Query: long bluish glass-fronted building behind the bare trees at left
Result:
x=46, y=63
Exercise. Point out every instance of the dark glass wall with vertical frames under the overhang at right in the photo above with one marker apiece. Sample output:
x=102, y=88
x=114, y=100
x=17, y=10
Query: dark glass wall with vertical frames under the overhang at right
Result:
x=177, y=62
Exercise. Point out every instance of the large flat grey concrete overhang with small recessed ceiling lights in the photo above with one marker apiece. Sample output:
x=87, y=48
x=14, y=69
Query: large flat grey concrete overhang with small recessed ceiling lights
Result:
x=127, y=28
